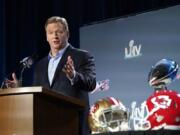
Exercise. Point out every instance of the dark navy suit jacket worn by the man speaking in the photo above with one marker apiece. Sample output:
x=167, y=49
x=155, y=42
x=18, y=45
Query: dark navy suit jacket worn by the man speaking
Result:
x=84, y=80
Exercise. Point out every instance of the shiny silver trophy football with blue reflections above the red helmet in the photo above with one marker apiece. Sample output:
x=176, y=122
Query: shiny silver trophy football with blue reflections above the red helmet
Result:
x=162, y=73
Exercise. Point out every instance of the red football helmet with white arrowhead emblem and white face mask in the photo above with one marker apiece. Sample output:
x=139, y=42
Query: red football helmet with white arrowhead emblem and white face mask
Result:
x=163, y=111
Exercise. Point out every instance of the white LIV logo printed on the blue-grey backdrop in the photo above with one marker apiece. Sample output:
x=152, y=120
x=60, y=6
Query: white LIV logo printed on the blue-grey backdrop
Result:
x=133, y=50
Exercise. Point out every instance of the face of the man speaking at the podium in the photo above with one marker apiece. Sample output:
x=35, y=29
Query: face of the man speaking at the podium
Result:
x=56, y=35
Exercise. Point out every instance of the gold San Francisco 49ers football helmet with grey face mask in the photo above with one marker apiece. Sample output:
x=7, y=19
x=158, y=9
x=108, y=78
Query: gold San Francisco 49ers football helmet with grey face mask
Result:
x=108, y=115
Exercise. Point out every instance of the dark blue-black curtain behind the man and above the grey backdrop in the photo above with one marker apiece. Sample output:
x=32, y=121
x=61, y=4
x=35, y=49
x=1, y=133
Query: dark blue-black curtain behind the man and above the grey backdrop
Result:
x=22, y=24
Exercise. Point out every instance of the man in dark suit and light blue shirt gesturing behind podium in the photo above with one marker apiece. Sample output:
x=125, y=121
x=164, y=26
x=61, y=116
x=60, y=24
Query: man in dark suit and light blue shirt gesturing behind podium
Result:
x=66, y=69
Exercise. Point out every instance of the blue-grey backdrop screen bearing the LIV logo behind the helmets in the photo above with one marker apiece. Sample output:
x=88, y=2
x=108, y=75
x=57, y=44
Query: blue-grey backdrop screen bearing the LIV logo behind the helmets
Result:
x=126, y=48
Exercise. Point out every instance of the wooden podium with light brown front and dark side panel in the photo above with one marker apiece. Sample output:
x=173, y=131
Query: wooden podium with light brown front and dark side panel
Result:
x=38, y=111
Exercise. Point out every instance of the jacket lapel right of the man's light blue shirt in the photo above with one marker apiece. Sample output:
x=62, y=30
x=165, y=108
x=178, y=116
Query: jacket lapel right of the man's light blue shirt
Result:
x=61, y=63
